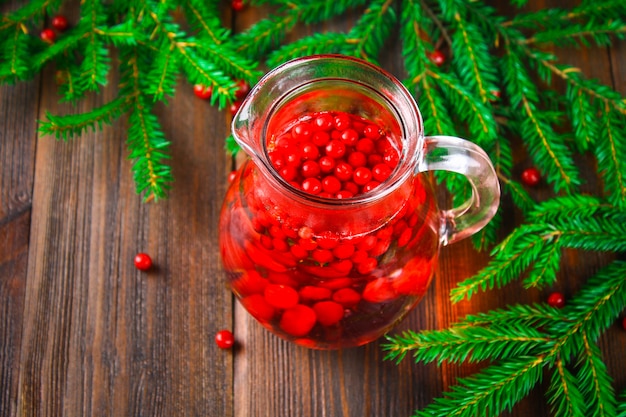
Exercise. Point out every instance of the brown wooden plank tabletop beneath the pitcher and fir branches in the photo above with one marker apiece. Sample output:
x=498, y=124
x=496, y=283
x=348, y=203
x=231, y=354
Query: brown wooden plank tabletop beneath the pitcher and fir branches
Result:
x=83, y=333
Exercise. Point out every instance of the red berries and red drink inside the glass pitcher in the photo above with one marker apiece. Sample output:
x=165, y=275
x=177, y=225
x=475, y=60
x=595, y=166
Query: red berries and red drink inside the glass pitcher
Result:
x=329, y=276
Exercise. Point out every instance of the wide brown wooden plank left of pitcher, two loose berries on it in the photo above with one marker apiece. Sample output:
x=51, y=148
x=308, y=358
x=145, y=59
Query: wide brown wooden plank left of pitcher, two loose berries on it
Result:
x=100, y=337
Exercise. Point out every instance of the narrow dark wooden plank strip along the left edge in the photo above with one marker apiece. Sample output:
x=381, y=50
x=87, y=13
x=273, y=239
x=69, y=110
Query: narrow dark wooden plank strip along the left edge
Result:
x=18, y=127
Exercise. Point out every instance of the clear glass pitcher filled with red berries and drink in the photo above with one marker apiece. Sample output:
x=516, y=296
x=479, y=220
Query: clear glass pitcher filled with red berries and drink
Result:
x=330, y=231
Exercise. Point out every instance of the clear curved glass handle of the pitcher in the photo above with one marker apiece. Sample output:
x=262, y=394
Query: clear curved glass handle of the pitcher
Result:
x=463, y=157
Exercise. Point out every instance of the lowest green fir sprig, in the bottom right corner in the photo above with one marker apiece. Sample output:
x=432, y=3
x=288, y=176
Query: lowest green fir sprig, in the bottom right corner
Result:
x=522, y=342
